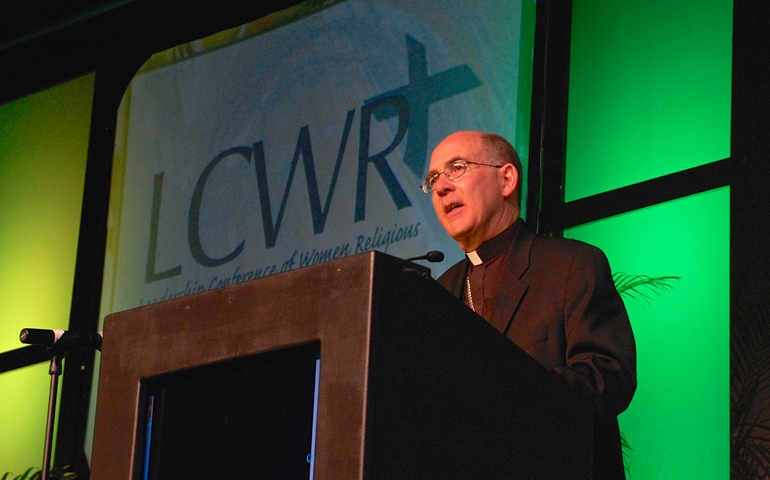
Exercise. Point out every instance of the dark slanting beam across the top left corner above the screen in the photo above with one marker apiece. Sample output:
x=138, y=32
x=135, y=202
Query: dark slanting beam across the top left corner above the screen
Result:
x=110, y=32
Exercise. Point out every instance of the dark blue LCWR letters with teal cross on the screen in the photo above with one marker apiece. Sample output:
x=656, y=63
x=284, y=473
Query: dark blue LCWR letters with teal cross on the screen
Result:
x=409, y=104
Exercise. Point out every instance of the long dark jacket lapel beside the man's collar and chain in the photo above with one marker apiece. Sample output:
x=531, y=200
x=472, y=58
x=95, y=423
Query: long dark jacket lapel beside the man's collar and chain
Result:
x=517, y=264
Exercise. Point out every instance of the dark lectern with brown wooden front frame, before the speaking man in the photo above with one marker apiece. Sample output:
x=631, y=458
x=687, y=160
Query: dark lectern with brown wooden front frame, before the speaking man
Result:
x=412, y=383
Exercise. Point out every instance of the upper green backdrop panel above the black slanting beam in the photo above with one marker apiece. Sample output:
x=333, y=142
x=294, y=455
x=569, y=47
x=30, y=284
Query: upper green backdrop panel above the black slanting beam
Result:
x=649, y=95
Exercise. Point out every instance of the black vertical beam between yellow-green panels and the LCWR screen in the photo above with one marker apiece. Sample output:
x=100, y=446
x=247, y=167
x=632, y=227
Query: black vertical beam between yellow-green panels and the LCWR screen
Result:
x=110, y=84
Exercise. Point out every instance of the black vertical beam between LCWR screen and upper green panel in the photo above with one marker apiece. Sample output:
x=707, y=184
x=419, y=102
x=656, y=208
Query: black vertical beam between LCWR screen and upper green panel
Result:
x=548, y=134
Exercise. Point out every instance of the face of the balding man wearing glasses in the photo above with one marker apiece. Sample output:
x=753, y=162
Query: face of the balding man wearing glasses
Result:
x=472, y=208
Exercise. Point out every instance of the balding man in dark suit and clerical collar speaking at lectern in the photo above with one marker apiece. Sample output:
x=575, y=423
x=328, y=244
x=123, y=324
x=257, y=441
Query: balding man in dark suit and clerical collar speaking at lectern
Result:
x=553, y=297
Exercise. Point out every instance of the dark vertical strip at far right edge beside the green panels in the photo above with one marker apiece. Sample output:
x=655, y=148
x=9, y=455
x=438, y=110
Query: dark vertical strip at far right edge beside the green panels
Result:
x=750, y=256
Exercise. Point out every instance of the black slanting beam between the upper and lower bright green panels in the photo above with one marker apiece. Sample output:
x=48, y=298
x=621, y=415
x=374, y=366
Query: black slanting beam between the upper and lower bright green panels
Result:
x=640, y=195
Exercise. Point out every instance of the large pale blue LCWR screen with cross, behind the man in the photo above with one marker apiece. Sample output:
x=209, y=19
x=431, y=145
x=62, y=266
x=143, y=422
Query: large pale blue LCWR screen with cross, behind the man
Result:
x=303, y=137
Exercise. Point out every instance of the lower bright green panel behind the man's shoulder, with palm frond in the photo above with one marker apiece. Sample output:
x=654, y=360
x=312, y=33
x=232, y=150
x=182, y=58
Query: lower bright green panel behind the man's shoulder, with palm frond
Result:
x=678, y=421
